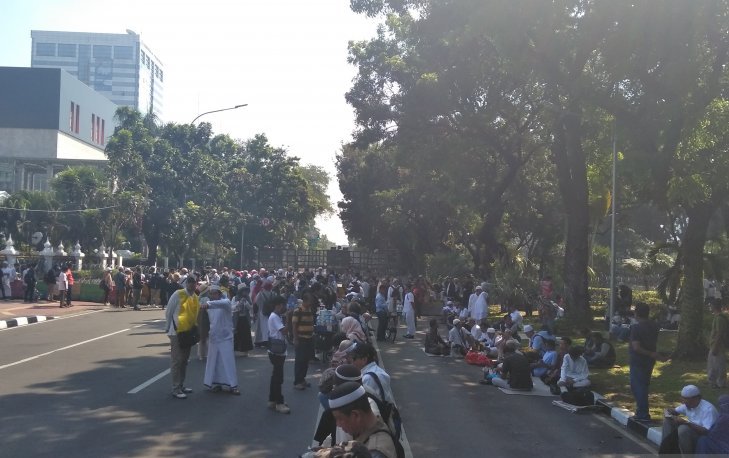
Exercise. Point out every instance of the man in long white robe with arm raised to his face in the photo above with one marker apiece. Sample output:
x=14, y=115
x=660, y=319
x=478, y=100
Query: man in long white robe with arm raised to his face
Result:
x=220, y=368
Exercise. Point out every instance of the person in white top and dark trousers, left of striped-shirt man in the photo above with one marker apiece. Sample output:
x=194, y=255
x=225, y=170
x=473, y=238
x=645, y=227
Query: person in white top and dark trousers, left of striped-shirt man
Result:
x=277, y=353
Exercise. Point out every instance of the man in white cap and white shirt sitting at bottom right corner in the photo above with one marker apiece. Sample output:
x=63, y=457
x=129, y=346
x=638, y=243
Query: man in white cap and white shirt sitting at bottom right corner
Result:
x=700, y=416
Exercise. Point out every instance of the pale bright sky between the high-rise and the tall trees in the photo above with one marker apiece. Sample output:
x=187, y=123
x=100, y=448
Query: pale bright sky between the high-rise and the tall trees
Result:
x=287, y=59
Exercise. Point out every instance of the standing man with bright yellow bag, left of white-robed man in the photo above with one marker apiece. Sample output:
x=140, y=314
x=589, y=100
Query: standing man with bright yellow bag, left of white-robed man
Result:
x=181, y=315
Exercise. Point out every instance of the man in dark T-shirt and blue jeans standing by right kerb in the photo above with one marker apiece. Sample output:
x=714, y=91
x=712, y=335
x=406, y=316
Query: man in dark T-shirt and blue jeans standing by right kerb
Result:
x=643, y=356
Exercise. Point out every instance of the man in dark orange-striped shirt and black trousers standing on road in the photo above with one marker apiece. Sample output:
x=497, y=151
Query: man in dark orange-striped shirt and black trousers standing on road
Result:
x=302, y=325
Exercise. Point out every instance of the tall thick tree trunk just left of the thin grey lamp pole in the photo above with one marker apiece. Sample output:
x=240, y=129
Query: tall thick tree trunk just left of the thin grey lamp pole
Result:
x=570, y=160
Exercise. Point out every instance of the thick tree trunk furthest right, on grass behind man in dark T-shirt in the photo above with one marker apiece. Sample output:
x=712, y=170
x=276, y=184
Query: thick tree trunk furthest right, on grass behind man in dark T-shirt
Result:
x=691, y=343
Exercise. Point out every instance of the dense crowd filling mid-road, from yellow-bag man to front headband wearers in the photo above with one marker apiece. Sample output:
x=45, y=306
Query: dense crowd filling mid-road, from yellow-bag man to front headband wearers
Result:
x=285, y=312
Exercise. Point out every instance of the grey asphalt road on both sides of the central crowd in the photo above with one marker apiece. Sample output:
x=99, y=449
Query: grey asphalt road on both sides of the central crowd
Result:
x=93, y=384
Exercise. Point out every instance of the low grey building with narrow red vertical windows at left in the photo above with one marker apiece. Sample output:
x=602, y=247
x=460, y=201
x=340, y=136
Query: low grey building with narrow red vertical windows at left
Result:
x=49, y=120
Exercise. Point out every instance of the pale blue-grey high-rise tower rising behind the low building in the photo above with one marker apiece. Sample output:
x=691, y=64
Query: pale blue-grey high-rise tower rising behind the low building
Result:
x=119, y=66
